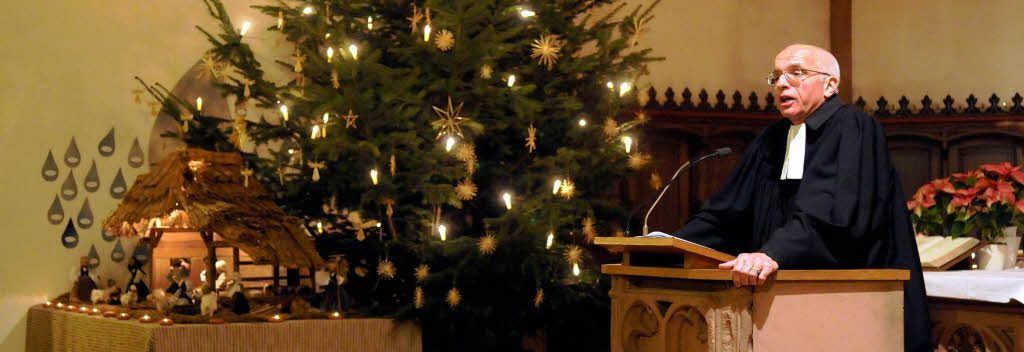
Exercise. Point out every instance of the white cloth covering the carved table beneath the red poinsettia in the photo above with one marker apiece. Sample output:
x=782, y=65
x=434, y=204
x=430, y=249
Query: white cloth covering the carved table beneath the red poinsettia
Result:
x=998, y=287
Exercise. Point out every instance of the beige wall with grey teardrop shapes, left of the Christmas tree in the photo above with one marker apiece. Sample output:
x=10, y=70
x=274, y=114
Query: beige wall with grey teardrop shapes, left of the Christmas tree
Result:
x=67, y=71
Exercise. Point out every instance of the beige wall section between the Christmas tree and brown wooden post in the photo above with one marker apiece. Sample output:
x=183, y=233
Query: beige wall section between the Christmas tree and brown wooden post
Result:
x=729, y=45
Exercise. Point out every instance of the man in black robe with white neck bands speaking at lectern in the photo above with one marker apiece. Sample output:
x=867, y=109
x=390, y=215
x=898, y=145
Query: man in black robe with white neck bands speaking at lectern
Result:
x=816, y=191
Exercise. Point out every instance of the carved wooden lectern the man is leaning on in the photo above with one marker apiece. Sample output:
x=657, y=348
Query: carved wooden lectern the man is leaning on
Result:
x=696, y=307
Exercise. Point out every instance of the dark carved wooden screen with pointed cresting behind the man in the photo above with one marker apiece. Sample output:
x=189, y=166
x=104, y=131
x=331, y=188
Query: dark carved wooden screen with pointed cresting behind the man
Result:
x=925, y=143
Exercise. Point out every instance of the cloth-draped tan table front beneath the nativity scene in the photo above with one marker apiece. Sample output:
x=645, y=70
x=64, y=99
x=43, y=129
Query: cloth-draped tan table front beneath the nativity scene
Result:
x=51, y=330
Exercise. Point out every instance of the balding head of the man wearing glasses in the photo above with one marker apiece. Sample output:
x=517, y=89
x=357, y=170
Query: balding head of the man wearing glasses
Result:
x=812, y=77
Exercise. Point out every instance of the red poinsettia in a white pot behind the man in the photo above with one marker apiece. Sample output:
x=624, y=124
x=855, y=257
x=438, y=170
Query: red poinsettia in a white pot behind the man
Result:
x=988, y=203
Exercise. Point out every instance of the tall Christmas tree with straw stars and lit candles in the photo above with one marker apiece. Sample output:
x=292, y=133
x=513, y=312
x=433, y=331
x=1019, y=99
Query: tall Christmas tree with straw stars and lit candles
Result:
x=461, y=155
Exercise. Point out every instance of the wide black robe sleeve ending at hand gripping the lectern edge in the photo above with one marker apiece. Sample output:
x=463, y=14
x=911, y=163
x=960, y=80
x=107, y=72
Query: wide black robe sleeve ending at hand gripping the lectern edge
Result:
x=842, y=200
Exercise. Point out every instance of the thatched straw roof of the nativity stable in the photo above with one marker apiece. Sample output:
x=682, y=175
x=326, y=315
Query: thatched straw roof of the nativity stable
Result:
x=209, y=188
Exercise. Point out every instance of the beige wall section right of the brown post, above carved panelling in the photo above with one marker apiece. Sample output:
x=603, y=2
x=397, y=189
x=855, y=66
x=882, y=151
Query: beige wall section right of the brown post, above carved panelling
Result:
x=919, y=48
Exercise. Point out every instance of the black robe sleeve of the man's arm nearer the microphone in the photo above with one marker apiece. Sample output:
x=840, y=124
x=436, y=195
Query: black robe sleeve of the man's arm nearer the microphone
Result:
x=724, y=223
